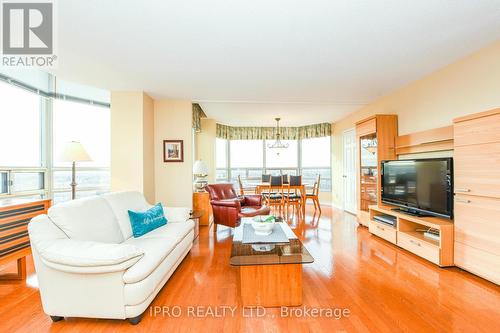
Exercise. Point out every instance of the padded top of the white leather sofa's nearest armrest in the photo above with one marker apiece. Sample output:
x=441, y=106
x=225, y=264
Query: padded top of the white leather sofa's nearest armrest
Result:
x=77, y=256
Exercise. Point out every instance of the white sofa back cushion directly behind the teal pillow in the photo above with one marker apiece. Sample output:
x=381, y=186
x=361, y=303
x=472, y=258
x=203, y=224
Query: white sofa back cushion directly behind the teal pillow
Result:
x=121, y=203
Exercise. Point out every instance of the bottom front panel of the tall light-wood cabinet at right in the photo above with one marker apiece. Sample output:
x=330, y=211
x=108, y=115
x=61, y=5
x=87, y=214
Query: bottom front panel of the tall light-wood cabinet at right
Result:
x=478, y=262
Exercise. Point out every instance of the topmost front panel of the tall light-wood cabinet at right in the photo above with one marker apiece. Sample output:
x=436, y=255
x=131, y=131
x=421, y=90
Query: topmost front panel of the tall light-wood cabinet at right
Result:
x=476, y=131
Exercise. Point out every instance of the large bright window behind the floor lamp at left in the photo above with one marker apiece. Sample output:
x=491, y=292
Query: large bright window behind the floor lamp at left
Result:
x=28, y=139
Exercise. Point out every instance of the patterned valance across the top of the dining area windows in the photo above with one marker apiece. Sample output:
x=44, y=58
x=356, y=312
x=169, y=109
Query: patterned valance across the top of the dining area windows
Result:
x=269, y=133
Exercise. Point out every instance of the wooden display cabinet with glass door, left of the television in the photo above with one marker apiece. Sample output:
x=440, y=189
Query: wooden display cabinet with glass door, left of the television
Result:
x=376, y=137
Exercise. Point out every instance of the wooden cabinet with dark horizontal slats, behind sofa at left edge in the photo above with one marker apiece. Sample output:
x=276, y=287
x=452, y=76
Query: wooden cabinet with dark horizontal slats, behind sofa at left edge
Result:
x=14, y=240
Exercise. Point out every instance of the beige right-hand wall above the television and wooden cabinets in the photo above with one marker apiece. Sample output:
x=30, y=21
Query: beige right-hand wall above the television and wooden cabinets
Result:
x=467, y=86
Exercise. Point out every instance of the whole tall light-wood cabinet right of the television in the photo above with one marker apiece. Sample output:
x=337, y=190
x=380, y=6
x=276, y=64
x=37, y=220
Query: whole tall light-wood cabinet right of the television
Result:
x=477, y=194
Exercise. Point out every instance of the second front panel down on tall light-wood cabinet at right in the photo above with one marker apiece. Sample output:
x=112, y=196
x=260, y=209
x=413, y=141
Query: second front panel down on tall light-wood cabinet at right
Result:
x=475, y=170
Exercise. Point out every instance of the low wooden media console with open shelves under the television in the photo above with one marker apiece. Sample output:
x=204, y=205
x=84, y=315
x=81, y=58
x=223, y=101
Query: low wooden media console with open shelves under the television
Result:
x=407, y=235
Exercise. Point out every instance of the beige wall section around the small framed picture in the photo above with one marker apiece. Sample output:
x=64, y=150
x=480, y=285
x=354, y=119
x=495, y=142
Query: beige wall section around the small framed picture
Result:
x=174, y=181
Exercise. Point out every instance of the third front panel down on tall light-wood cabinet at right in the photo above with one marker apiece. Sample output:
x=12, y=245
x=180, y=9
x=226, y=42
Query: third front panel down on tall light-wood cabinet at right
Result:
x=477, y=222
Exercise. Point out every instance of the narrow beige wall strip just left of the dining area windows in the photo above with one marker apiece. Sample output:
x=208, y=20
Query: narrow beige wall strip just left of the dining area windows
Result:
x=205, y=146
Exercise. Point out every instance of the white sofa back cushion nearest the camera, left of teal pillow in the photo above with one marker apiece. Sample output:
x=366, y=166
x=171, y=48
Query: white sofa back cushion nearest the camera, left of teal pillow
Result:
x=90, y=219
